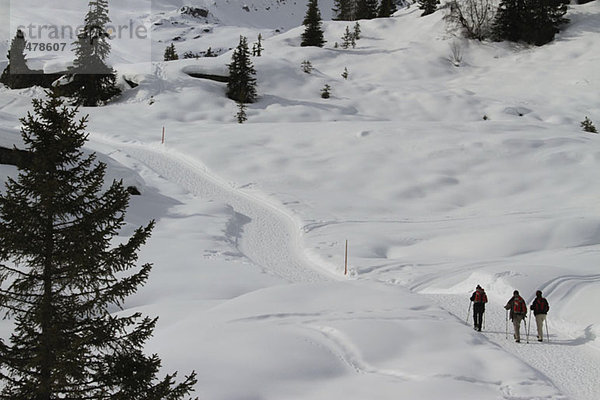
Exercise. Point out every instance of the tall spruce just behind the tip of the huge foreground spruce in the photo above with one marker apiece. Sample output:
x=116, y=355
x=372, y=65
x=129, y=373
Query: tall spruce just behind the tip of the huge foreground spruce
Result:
x=94, y=81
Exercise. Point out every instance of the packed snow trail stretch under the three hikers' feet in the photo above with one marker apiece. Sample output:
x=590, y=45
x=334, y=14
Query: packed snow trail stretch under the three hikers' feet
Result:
x=568, y=362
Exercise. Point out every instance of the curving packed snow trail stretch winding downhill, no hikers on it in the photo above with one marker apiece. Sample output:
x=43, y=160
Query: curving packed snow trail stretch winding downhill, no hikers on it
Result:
x=269, y=236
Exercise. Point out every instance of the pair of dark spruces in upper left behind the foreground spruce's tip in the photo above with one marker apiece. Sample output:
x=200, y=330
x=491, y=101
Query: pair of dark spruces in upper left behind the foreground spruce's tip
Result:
x=91, y=81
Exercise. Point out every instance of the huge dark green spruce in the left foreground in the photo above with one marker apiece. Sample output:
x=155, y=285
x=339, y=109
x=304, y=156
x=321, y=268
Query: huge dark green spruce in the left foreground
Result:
x=61, y=275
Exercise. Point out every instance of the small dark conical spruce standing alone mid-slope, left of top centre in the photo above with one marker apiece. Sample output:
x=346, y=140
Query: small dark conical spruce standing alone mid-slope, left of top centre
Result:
x=241, y=85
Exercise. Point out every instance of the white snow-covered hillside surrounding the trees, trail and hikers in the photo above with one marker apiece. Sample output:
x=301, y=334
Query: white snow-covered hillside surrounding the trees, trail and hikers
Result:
x=440, y=176
